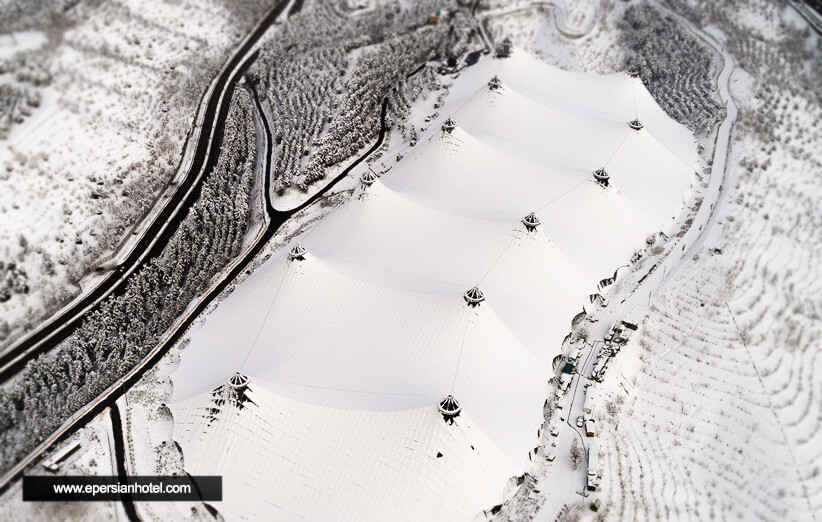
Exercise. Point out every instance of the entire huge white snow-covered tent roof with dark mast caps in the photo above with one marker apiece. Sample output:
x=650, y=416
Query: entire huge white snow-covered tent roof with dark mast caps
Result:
x=349, y=350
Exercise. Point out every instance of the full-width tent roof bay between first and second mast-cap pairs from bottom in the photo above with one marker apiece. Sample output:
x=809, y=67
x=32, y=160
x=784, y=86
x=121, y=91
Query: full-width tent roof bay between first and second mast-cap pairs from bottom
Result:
x=346, y=343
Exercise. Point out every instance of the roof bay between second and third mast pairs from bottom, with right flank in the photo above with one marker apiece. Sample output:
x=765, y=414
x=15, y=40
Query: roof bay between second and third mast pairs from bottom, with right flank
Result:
x=381, y=236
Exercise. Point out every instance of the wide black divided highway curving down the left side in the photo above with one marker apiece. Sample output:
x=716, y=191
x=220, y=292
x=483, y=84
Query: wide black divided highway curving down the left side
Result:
x=157, y=234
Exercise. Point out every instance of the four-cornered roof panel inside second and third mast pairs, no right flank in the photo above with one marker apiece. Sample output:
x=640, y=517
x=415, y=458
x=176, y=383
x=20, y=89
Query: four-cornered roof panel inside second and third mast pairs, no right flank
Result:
x=381, y=230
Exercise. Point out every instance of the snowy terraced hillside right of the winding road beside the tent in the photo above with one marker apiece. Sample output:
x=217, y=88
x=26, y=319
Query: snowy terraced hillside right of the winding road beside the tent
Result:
x=722, y=417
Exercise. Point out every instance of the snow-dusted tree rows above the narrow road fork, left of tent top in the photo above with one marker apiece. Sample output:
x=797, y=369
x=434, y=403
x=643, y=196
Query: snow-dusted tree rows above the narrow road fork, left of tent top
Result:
x=324, y=110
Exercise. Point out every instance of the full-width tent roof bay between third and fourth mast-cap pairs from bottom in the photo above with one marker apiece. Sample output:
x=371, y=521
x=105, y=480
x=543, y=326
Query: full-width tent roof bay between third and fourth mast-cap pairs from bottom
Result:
x=457, y=173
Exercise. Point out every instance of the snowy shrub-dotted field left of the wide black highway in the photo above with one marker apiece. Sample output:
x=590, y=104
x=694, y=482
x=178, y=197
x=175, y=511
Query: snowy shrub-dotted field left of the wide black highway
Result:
x=117, y=87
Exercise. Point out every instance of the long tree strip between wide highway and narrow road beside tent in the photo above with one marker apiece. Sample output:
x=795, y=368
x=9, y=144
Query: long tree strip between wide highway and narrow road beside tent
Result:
x=124, y=328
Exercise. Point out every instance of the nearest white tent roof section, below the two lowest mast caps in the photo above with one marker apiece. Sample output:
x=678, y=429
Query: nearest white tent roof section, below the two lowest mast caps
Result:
x=282, y=459
